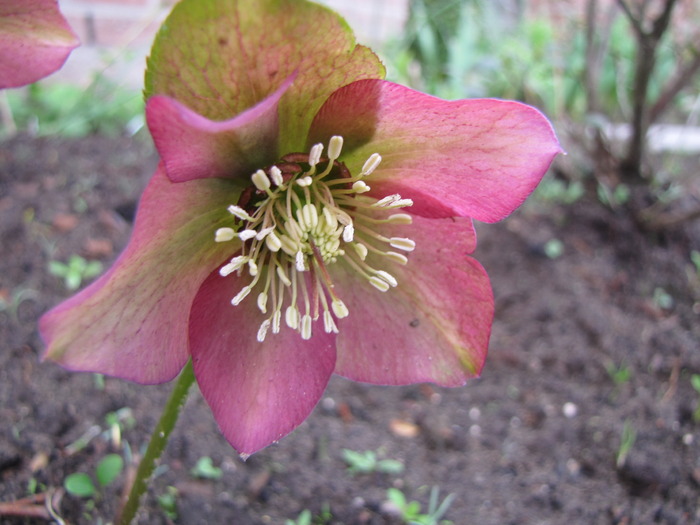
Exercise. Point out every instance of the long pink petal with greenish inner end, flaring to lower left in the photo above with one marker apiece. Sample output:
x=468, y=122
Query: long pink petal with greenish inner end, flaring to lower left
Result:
x=132, y=322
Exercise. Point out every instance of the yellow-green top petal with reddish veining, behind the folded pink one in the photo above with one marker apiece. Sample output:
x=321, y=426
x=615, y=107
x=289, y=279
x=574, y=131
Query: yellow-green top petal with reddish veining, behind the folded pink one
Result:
x=220, y=57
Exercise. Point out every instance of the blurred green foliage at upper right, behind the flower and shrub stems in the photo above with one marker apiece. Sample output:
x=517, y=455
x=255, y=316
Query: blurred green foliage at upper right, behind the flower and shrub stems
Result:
x=474, y=48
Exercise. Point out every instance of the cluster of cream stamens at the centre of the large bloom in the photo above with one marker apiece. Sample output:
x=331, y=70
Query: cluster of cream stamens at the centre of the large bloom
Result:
x=299, y=217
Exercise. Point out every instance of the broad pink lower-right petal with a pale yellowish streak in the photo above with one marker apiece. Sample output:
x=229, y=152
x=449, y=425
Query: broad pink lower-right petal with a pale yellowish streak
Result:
x=434, y=326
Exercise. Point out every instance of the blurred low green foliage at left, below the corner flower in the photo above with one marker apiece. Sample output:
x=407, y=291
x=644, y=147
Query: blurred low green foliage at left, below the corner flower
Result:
x=103, y=107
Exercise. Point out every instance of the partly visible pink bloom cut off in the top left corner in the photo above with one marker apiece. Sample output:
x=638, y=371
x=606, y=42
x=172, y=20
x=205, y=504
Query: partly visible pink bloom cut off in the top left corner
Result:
x=35, y=41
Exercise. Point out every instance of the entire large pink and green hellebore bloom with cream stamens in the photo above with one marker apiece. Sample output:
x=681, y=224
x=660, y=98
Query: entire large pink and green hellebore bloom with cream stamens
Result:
x=307, y=218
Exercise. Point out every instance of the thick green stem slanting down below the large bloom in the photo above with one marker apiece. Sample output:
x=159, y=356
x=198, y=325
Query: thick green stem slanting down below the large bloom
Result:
x=156, y=445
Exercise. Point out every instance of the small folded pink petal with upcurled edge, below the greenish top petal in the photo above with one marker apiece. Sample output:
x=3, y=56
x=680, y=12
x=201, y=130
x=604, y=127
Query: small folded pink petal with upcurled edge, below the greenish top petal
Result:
x=194, y=147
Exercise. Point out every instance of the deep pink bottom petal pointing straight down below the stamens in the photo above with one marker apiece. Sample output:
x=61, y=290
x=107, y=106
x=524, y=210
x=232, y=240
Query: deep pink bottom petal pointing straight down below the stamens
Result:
x=258, y=392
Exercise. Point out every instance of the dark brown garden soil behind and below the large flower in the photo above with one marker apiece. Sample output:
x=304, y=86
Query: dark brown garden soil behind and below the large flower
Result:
x=581, y=350
